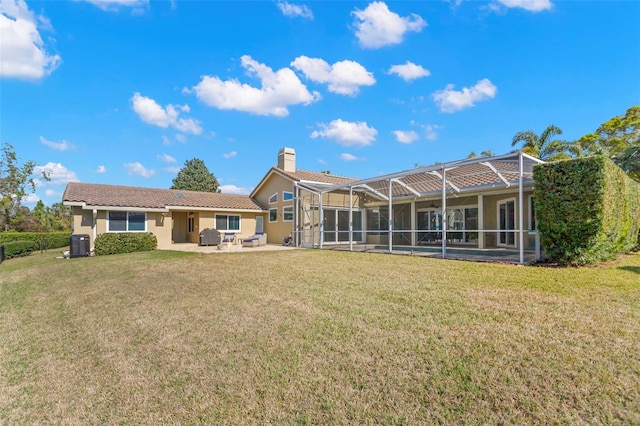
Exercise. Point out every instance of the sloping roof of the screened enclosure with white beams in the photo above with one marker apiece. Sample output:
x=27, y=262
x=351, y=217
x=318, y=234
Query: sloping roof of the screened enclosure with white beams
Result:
x=471, y=174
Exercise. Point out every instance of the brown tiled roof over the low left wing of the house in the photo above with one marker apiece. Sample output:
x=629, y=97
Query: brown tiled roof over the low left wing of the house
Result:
x=90, y=195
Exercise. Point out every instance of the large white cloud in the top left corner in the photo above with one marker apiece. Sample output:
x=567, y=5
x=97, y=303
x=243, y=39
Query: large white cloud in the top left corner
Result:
x=24, y=54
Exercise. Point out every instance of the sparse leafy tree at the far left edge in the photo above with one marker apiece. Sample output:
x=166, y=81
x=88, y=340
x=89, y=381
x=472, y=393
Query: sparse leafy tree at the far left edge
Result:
x=15, y=183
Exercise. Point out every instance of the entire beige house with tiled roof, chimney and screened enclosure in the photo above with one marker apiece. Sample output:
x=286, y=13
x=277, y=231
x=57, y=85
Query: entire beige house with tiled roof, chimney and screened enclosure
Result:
x=482, y=202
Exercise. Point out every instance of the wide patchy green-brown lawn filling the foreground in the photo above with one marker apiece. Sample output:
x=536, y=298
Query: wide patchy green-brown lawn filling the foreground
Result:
x=316, y=337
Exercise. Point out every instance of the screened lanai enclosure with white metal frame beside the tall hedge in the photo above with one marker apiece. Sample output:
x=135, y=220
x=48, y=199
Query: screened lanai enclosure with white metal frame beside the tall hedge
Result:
x=480, y=207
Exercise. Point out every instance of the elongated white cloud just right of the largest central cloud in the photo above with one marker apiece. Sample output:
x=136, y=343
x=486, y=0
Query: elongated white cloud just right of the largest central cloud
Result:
x=344, y=77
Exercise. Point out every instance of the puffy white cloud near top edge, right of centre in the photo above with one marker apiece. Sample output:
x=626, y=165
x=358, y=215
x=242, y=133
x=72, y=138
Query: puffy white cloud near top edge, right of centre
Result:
x=377, y=26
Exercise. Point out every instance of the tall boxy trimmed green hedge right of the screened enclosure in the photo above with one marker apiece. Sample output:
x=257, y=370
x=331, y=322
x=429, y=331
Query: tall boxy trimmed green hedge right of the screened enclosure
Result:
x=587, y=210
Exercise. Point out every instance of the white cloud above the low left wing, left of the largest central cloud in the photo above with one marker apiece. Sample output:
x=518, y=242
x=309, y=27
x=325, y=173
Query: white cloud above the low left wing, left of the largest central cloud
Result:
x=151, y=112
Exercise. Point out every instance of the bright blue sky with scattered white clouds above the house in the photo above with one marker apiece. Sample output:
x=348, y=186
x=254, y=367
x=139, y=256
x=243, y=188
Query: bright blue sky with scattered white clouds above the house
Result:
x=125, y=91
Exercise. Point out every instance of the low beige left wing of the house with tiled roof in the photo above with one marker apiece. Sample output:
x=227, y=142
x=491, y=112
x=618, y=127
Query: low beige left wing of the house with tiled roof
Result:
x=173, y=216
